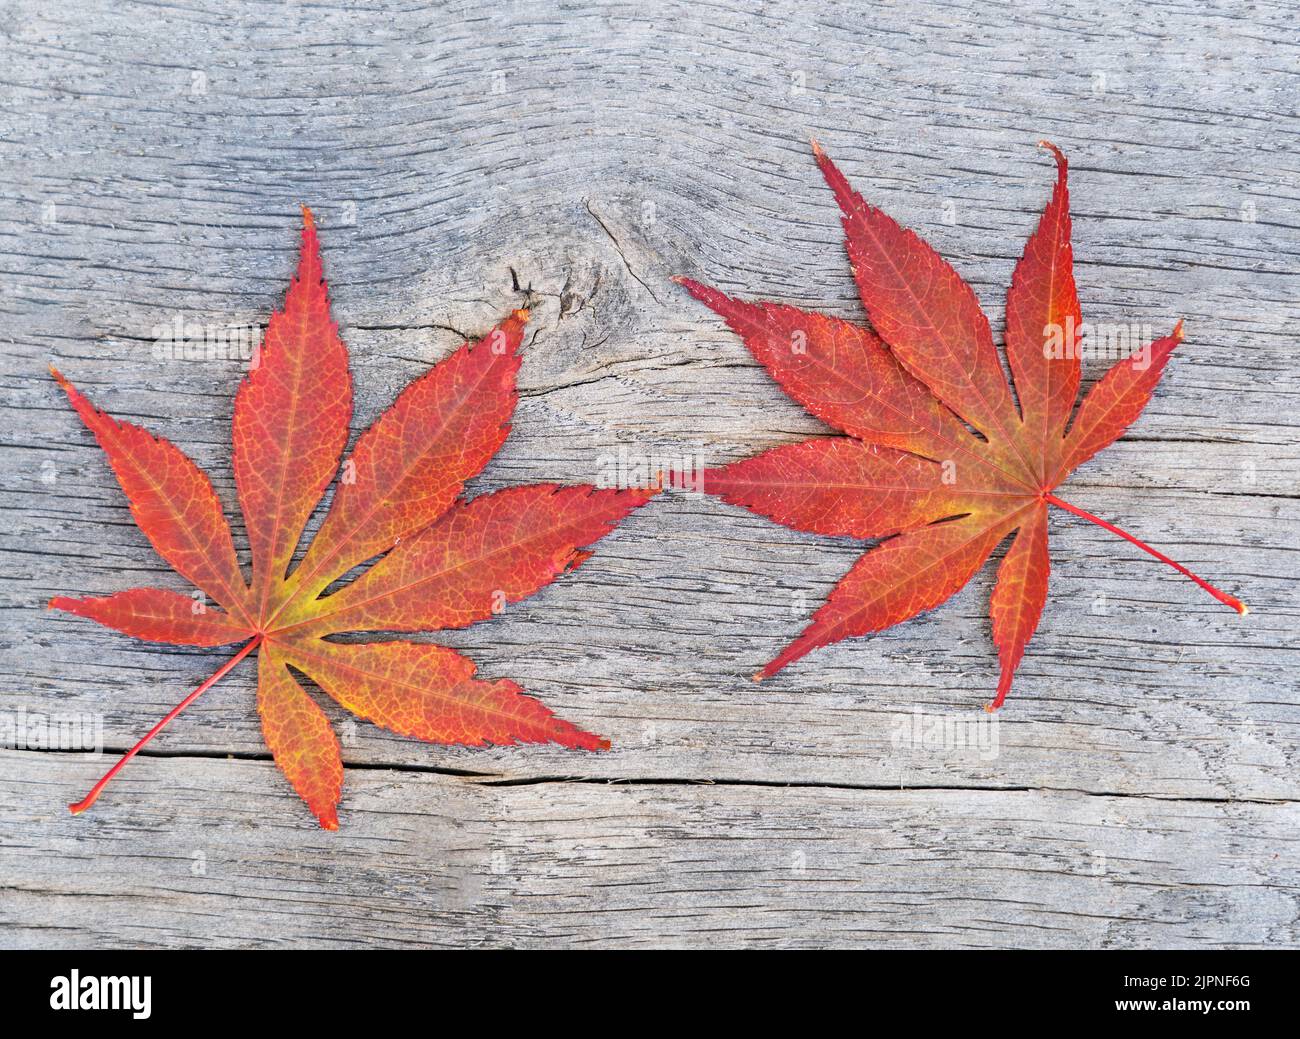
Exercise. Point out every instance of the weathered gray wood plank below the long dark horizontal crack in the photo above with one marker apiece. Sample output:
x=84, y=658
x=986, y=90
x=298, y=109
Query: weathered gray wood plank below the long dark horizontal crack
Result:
x=435, y=860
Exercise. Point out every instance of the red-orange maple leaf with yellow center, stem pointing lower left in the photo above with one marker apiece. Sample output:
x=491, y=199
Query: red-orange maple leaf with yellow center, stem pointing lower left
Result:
x=444, y=562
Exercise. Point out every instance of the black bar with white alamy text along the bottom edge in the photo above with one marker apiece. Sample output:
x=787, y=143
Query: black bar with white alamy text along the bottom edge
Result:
x=301, y=988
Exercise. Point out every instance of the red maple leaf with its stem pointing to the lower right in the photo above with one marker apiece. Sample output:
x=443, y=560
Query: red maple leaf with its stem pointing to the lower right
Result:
x=941, y=458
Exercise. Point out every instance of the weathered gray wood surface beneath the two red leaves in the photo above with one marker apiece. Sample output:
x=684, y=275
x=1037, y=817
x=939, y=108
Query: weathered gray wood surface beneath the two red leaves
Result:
x=1143, y=790
